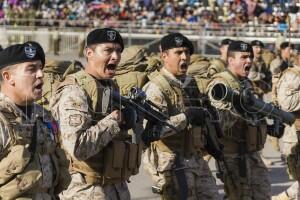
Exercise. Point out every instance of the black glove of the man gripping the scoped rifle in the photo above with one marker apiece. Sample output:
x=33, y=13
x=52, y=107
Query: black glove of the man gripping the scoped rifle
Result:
x=129, y=118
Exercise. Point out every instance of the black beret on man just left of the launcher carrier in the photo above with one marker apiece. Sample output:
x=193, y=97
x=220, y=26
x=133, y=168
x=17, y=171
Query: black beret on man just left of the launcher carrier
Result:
x=175, y=40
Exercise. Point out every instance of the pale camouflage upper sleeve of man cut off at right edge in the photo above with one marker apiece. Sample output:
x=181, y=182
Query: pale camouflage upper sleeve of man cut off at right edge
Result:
x=288, y=92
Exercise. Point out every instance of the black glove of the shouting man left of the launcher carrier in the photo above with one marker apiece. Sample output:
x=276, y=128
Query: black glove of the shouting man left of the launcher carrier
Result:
x=195, y=115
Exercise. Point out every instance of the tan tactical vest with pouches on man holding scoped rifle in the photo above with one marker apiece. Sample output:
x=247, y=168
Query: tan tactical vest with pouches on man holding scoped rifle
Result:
x=119, y=159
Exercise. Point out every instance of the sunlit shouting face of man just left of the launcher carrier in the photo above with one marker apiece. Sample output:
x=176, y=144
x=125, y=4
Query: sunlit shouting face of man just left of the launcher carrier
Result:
x=176, y=60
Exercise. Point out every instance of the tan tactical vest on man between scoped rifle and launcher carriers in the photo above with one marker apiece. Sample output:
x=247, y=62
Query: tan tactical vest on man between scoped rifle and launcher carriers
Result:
x=191, y=140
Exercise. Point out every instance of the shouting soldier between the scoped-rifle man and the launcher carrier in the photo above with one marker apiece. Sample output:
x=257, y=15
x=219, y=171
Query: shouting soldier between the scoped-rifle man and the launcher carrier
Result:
x=175, y=162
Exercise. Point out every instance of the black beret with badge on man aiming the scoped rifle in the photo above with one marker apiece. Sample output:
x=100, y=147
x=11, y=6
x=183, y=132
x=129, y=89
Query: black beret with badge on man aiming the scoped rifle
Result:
x=104, y=35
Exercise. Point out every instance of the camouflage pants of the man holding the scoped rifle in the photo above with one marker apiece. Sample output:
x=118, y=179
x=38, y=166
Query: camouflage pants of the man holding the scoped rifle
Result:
x=79, y=190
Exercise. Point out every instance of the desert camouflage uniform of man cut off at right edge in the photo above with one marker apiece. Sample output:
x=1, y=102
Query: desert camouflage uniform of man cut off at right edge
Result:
x=288, y=95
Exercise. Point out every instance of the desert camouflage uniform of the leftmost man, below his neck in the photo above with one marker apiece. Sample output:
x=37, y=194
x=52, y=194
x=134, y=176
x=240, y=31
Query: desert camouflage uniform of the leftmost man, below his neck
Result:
x=42, y=169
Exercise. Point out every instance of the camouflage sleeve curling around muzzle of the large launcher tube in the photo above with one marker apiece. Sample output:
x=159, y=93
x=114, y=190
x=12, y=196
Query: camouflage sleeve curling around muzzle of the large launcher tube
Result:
x=227, y=117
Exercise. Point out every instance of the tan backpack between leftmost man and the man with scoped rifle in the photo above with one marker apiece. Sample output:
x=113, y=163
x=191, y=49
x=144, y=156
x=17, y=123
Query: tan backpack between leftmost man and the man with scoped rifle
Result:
x=54, y=73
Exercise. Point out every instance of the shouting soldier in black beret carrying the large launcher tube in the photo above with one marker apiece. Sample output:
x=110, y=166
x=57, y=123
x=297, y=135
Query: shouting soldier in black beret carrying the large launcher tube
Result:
x=245, y=177
